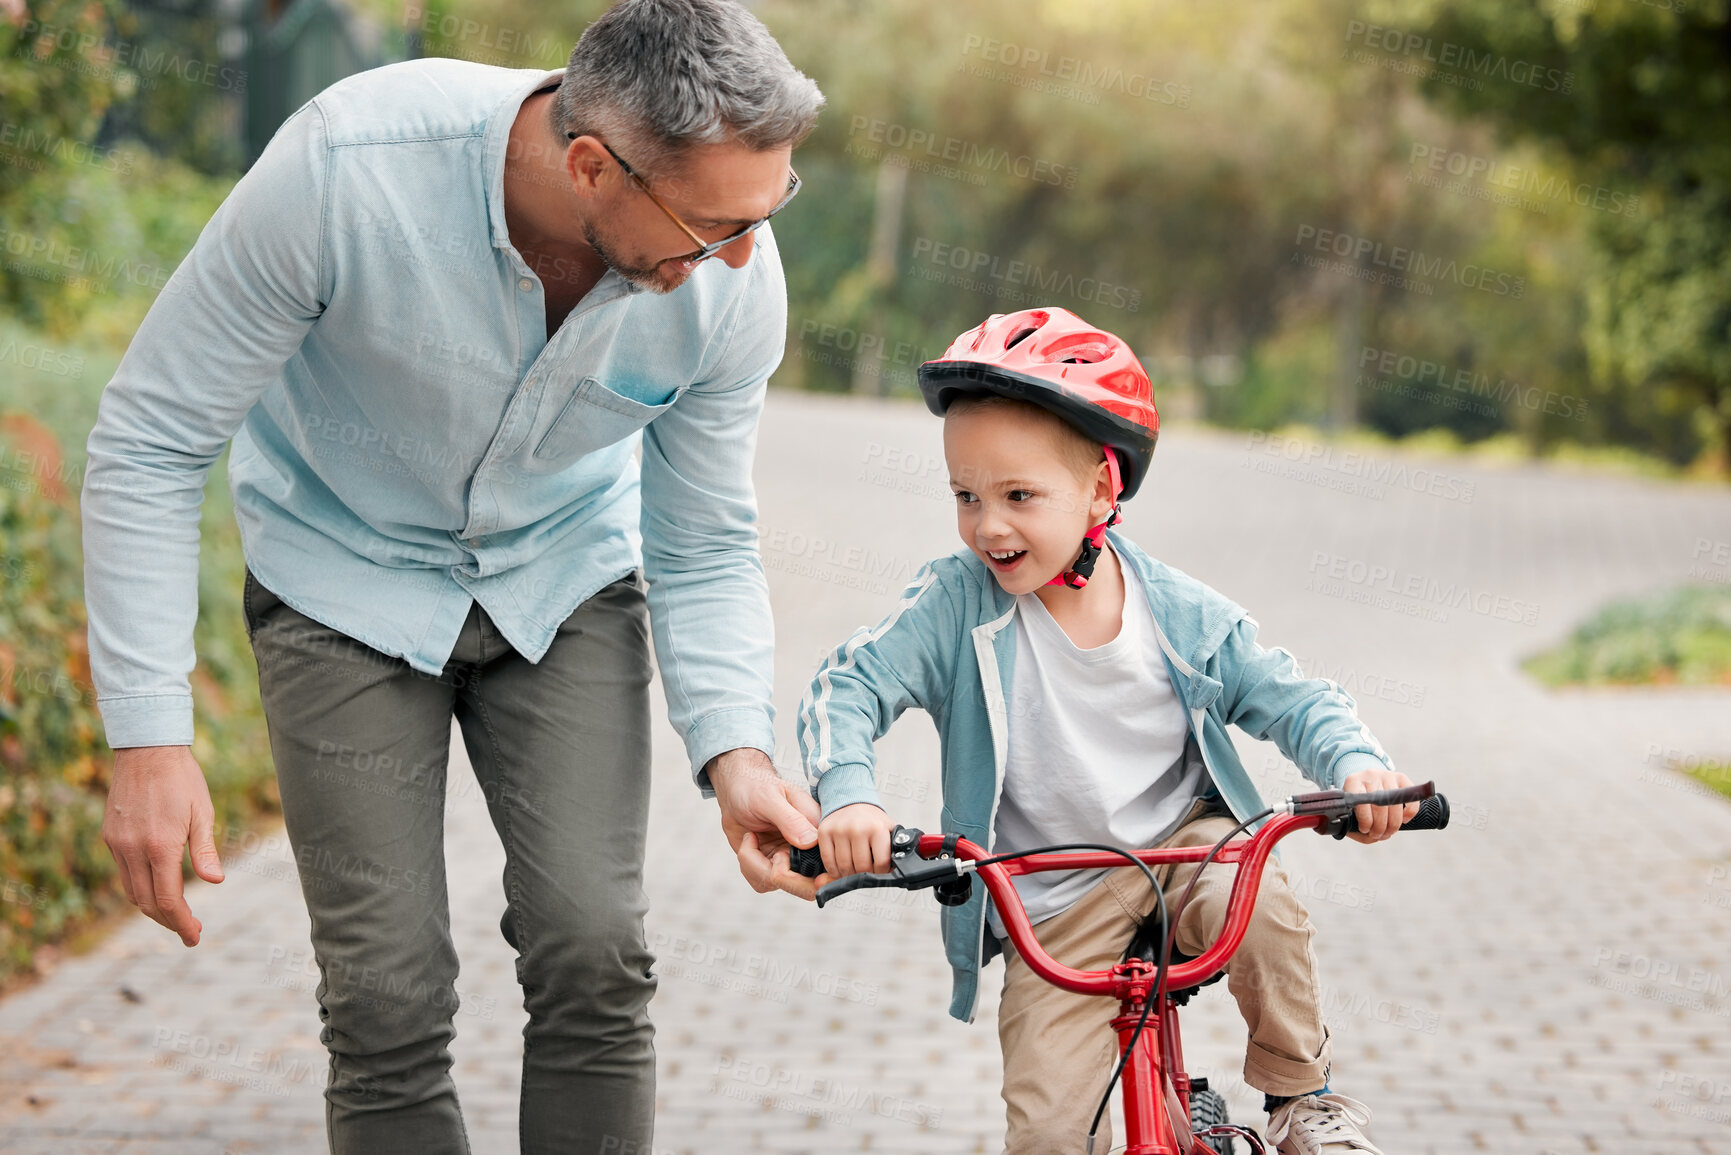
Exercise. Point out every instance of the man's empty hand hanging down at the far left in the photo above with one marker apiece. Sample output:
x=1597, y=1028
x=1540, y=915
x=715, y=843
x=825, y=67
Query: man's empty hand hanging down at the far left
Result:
x=158, y=806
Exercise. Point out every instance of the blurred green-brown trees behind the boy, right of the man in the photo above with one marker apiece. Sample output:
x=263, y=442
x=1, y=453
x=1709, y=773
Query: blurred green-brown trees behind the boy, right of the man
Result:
x=1192, y=203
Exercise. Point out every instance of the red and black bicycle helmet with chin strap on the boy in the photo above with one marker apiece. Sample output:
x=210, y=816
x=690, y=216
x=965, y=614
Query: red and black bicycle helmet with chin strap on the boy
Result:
x=1084, y=375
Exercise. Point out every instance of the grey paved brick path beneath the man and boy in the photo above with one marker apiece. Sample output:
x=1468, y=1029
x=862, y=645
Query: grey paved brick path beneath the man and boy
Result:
x=1550, y=976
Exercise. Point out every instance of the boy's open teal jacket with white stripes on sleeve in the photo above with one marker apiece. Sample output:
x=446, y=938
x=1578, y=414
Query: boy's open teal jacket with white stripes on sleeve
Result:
x=948, y=648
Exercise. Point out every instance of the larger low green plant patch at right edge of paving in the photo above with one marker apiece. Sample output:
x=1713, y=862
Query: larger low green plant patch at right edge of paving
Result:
x=1676, y=638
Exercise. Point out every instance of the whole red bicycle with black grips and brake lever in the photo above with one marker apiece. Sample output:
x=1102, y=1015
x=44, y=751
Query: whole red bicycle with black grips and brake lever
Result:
x=1166, y=1113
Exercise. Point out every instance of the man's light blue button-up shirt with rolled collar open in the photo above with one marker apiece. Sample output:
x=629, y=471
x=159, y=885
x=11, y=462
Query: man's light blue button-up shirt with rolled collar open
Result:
x=408, y=441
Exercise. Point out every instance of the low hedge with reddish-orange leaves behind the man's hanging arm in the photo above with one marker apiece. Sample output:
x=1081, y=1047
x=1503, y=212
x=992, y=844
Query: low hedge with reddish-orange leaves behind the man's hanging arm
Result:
x=56, y=874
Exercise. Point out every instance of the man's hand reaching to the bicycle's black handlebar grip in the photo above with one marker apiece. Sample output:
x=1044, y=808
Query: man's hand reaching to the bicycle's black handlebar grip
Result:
x=764, y=815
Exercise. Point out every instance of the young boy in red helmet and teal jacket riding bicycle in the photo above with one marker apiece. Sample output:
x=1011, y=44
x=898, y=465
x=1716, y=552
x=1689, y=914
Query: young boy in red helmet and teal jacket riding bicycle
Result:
x=1083, y=695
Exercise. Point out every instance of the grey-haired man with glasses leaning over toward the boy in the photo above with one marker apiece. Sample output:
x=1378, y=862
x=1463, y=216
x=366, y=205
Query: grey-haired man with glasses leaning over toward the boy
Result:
x=437, y=319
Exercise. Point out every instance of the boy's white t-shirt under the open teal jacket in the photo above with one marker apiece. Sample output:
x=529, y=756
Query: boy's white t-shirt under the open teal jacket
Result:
x=1097, y=749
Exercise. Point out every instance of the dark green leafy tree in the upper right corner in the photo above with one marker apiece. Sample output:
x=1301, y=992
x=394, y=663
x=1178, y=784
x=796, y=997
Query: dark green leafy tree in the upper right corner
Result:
x=1651, y=108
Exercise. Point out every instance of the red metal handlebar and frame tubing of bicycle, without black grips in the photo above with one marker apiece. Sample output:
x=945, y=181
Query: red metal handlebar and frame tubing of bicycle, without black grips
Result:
x=1159, y=1052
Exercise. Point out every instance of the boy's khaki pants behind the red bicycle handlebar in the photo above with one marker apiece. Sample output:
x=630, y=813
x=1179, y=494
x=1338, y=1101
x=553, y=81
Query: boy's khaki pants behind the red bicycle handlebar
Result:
x=1060, y=1047
